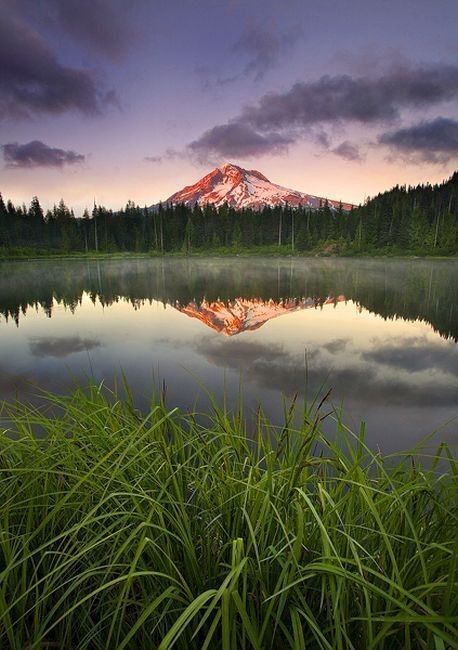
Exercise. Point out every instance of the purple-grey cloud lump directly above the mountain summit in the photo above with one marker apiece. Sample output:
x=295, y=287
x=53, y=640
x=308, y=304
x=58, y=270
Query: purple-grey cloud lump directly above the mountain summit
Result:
x=235, y=140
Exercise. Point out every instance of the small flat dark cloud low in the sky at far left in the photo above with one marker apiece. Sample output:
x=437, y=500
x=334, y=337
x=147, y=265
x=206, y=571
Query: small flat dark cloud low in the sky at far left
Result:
x=38, y=154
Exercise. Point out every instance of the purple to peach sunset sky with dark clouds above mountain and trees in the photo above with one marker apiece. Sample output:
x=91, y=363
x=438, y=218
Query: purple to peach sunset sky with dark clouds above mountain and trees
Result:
x=117, y=100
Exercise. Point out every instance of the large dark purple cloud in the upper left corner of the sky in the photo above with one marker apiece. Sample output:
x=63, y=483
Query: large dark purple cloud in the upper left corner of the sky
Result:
x=32, y=80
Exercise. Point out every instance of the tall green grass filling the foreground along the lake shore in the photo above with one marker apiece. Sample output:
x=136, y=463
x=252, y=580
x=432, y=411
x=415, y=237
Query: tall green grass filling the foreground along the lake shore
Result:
x=125, y=531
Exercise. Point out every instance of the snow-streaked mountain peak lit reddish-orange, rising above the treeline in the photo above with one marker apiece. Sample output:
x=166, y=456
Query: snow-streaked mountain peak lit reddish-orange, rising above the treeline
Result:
x=245, y=188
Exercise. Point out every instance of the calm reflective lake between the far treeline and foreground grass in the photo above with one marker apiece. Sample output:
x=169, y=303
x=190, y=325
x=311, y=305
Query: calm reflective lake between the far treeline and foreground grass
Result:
x=380, y=333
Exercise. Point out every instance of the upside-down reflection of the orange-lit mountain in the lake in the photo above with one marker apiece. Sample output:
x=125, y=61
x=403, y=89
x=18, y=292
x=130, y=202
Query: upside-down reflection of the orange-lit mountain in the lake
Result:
x=241, y=314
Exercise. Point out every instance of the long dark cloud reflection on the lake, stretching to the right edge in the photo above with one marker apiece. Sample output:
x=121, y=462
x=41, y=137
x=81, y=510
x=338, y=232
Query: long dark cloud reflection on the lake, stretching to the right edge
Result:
x=358, y=381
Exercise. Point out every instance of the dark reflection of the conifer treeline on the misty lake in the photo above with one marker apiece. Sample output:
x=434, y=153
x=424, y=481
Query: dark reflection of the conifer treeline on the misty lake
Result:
x=412, y=290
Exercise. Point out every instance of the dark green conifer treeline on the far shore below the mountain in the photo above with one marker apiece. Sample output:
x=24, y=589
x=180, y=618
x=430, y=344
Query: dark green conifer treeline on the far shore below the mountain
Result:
x=419, y=219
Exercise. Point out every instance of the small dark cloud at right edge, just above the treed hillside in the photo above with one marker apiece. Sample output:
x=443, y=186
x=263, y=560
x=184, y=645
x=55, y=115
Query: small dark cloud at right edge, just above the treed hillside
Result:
x=434, y=141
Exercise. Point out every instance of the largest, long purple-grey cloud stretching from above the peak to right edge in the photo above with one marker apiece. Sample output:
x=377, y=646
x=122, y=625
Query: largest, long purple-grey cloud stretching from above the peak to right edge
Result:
x=279, y=119
